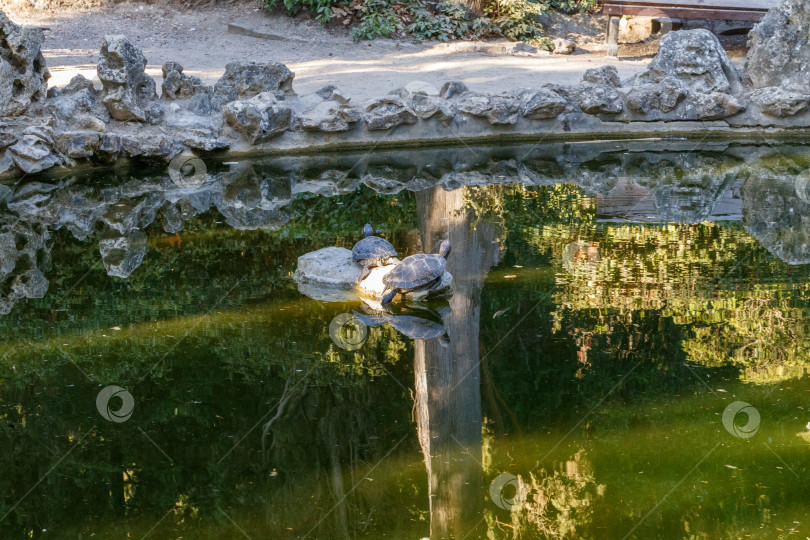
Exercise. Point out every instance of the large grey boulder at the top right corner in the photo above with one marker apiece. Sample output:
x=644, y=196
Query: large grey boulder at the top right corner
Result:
x=779, y=47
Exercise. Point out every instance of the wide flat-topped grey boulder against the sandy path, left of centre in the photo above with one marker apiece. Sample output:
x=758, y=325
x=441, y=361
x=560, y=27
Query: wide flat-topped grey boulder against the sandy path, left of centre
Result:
x=248, y=79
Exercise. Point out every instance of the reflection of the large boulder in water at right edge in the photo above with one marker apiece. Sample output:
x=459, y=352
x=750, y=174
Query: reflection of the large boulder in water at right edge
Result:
x=777, y=217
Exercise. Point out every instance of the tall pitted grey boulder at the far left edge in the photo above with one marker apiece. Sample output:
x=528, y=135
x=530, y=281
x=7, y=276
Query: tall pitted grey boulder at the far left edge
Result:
x=23, y=75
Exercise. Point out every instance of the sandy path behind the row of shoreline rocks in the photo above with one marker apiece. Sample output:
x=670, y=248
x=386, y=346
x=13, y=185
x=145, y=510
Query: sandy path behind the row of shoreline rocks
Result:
x=199, y=40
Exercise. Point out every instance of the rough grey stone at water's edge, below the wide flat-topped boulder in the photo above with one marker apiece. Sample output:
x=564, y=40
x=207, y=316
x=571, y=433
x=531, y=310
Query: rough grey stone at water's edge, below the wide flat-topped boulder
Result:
x=259, y=118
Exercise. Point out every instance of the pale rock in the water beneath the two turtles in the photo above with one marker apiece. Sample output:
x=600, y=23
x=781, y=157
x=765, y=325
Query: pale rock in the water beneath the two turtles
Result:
x=329, y=273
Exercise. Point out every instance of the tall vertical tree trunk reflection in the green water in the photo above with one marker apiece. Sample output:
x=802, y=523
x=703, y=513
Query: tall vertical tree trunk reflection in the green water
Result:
x=447, y=376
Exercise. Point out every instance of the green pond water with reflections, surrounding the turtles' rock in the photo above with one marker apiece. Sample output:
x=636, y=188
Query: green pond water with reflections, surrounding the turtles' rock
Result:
x=624, y=356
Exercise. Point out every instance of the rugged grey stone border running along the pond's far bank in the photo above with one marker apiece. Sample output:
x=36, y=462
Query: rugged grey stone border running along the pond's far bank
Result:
x=690, y=86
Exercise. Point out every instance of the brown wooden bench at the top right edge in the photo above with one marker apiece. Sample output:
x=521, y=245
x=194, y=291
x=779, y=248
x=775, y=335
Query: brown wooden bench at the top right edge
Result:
x=727, y=10
